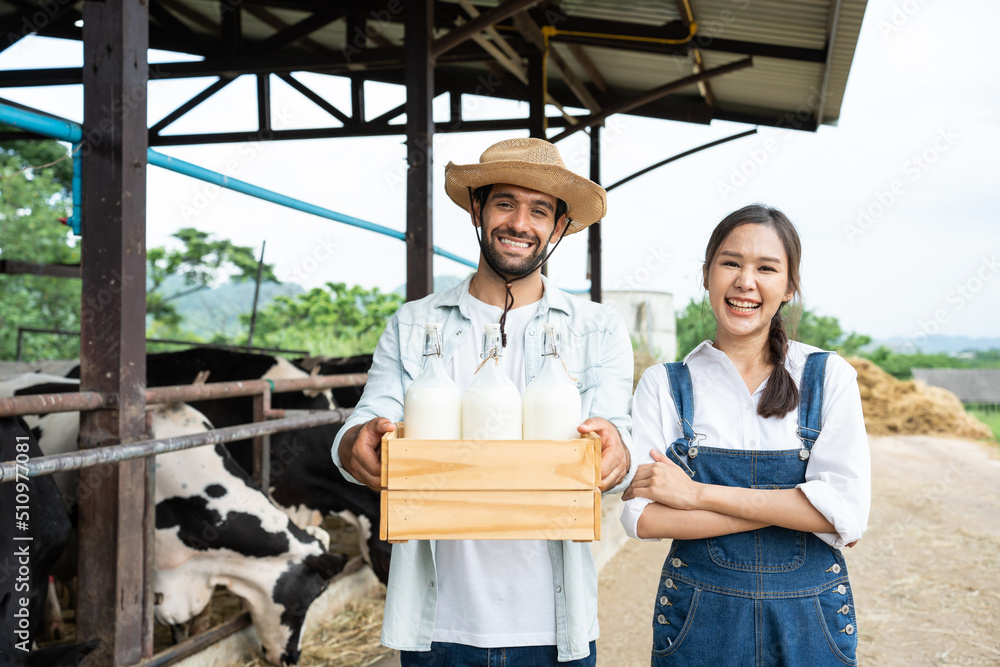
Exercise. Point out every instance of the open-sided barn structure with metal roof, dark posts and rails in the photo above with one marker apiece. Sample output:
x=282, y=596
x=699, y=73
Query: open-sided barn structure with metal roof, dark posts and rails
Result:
x=774, y=63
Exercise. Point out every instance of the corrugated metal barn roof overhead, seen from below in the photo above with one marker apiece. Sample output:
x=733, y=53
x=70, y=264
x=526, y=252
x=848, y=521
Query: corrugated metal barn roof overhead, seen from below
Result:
x=795, y=76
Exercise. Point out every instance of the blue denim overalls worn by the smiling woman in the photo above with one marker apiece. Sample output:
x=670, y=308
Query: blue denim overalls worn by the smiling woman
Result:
x=772, y=596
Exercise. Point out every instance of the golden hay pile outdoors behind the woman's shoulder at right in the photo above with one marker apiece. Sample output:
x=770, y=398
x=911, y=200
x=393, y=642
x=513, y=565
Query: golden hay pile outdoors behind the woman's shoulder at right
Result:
x=897, y=407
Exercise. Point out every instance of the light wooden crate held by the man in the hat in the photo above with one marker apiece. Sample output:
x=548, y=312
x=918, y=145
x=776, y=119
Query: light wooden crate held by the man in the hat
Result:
x=490, y=489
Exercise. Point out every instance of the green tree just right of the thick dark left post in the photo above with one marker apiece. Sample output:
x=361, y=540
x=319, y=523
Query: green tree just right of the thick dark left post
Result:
x=201, y=262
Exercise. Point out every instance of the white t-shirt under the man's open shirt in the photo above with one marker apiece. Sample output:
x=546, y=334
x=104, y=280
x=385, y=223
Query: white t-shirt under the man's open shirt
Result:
x=494, y=593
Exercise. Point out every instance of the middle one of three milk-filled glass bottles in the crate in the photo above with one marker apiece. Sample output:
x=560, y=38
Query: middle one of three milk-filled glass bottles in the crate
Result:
x=491, y=408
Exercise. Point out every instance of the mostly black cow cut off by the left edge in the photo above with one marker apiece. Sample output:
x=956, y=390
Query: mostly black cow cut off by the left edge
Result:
x=32, y=535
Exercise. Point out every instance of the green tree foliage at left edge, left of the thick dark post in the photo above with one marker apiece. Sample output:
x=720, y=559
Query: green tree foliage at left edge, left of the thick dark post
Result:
x=32, y=199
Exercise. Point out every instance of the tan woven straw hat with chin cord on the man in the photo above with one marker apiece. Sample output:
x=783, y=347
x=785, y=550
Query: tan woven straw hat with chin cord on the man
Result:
x=533, y=164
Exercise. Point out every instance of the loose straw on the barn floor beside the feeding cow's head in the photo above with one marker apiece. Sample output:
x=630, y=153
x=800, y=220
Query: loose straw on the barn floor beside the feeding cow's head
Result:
x=349, y=639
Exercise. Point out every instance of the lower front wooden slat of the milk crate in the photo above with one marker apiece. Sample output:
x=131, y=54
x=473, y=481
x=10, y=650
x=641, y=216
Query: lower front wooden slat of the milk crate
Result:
x=490, y=515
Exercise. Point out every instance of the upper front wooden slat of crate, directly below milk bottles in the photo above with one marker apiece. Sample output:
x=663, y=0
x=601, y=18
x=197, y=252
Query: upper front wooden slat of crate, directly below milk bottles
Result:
x=491, y=465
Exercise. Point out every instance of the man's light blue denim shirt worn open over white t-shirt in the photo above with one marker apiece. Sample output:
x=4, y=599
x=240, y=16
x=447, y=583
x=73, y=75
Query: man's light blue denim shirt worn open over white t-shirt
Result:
x=597, y=351
